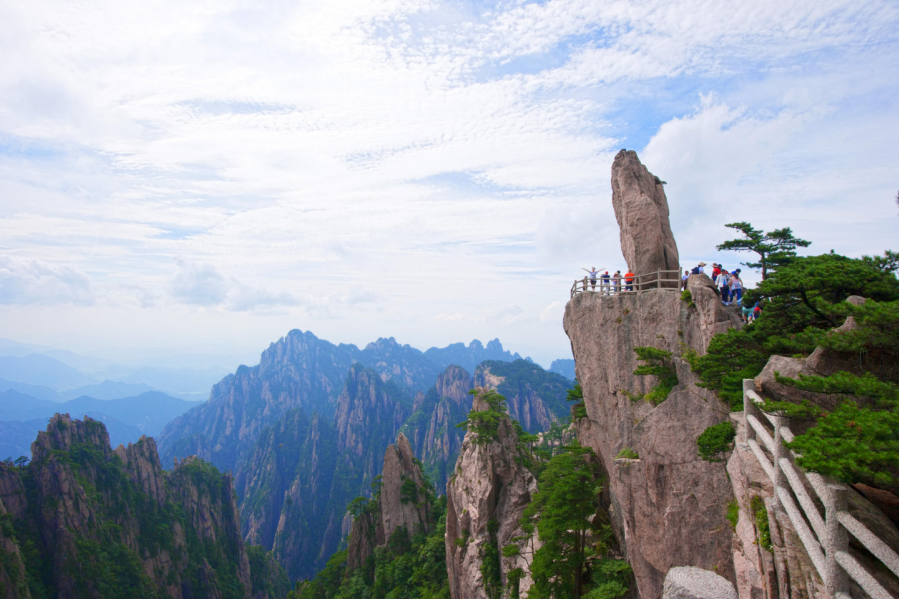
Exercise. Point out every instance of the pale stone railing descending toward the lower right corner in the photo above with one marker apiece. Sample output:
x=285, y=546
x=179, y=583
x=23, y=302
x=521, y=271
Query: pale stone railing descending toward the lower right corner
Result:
x=825, y=537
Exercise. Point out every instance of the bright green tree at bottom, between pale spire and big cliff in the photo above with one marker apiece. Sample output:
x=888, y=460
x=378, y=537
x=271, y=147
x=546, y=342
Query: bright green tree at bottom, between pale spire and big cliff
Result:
x=562, y=512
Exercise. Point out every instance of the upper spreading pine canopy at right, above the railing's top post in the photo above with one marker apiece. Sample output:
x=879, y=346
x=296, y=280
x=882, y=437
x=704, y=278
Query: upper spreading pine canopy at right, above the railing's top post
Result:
x=802, y=301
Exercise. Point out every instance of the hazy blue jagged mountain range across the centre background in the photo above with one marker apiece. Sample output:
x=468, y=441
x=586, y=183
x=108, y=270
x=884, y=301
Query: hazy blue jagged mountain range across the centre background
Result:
x=306, y=428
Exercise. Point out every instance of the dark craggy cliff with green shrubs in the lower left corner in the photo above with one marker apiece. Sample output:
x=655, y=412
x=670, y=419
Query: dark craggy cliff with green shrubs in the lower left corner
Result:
x=94, y=519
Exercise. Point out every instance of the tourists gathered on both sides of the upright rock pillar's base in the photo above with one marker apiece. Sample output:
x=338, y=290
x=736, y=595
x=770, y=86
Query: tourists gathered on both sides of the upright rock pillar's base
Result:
x=728, y=285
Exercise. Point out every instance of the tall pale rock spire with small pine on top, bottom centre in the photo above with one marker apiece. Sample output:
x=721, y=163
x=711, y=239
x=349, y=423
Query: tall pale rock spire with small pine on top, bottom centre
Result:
x=486, y=497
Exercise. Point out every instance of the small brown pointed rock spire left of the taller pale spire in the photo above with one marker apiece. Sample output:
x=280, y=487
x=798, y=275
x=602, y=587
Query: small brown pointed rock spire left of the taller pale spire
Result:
x=401, y=505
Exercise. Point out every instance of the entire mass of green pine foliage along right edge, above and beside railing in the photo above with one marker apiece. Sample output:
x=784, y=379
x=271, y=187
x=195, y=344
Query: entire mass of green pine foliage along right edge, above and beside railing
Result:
x=803, y=304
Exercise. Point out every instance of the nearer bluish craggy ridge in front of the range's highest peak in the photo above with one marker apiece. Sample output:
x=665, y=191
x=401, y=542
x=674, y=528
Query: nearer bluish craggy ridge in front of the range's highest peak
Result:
x=303, y=471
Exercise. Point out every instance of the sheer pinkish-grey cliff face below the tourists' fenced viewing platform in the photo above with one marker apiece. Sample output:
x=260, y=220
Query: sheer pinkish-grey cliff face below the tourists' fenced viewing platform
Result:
x=668, y=506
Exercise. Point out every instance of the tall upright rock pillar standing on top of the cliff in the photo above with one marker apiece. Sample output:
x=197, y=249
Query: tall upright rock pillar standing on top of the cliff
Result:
x=641, y=209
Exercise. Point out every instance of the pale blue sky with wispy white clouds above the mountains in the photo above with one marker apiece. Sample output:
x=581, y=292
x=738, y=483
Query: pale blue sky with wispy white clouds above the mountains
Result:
x=209, y=175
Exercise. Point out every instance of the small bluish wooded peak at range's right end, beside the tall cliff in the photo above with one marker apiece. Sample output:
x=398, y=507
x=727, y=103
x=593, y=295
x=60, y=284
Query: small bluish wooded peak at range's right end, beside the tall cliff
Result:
x=535, y=397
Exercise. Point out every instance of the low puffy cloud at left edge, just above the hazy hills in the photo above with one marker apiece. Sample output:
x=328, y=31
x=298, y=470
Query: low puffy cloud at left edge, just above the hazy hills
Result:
x=31, y=281
